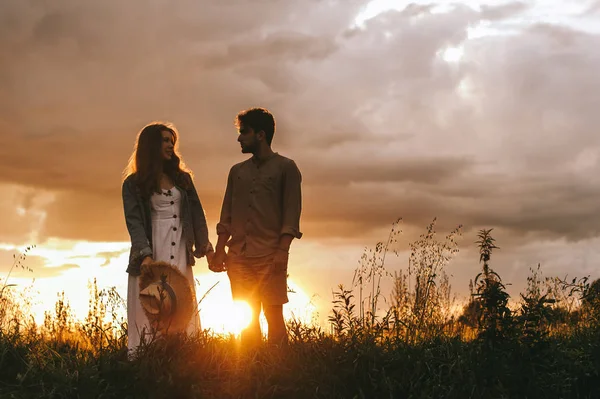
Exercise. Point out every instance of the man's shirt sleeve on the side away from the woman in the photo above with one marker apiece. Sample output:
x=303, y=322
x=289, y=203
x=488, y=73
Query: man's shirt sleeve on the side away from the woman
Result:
x=292, y=200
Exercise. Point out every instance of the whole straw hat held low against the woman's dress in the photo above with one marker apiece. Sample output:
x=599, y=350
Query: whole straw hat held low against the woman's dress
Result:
x=166, y=297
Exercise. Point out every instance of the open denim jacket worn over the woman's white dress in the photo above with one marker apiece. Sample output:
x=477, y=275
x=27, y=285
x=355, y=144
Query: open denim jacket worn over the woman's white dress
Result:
x=139, y=225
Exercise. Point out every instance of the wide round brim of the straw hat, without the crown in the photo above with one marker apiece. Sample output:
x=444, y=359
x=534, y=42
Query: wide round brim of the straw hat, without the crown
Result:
x=186, y=302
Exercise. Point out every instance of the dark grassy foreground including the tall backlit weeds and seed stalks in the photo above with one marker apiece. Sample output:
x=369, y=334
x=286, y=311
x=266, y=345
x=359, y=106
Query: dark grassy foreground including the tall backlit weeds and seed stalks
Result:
x=540, y=348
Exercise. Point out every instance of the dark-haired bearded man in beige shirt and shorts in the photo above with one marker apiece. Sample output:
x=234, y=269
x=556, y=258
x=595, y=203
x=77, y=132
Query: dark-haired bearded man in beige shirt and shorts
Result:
x=260, y=217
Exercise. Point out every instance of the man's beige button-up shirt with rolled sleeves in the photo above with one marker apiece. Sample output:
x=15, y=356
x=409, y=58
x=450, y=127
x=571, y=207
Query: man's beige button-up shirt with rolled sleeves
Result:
x=262, y=202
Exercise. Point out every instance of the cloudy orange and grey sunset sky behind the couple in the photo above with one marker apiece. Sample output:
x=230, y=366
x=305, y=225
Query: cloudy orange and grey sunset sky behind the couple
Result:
x=478, y=113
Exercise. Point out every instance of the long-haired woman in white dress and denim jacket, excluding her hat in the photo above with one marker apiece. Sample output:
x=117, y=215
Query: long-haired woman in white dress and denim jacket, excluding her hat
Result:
x=164, y=218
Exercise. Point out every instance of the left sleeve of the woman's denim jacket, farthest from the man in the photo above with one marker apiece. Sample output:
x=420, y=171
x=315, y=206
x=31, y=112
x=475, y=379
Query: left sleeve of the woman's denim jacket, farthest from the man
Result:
x=134, y=220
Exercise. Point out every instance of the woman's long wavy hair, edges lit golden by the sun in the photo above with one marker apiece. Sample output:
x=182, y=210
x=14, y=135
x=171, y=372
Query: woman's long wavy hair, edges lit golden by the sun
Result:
x=147, y=164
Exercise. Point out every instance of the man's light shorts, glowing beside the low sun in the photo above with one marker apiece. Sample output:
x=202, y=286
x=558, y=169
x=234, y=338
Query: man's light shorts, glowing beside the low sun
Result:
x=253, y=279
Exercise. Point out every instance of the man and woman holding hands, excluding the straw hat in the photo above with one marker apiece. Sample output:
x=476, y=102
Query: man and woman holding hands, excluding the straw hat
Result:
x=260, y=217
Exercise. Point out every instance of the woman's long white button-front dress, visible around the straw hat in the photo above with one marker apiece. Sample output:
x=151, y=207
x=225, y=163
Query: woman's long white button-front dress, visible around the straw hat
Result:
x=168, y=246
